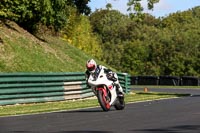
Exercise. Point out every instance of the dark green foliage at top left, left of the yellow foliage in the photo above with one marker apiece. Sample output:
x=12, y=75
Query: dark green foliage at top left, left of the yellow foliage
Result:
x=48, y=12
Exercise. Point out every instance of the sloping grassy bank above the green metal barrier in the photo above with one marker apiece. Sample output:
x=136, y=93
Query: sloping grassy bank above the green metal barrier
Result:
x=20, y=51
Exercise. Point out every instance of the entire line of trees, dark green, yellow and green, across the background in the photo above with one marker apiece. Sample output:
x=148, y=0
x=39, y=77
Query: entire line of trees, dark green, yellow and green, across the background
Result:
x=138, y=43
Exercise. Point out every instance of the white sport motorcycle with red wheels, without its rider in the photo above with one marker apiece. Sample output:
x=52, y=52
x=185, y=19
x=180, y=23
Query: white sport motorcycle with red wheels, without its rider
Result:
x=105, y=91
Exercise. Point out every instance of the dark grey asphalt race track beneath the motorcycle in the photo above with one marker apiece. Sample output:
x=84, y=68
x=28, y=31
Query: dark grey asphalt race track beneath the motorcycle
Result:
x=178, y=115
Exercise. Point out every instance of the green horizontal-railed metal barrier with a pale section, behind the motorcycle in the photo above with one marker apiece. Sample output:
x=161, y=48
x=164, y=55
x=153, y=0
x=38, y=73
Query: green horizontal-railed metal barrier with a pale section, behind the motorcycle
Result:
x=17, y=88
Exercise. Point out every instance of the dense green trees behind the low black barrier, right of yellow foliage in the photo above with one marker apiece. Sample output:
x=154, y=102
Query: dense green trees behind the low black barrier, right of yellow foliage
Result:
x=163, y=46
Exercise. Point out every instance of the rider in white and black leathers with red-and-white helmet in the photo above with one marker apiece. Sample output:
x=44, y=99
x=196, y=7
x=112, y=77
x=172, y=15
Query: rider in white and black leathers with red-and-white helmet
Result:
x=92, y=68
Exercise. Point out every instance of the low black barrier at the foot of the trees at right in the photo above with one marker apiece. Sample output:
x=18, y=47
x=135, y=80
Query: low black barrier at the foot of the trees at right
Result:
x=165, y=80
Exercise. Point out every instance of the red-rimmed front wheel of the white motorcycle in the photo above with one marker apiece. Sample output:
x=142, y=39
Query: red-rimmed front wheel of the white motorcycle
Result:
x=103, y=100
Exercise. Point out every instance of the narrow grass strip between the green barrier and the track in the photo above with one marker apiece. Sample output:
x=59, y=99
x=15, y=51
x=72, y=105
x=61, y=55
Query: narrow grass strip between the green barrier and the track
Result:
x=76, y=104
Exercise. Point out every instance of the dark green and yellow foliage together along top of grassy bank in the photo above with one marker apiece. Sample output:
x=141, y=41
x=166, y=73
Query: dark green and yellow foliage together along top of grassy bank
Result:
x=62, y=15
